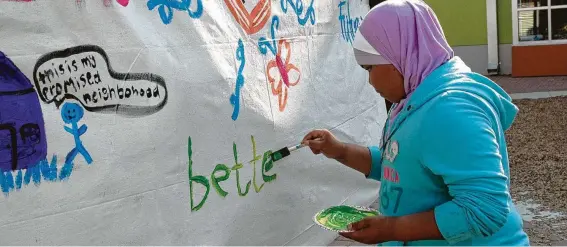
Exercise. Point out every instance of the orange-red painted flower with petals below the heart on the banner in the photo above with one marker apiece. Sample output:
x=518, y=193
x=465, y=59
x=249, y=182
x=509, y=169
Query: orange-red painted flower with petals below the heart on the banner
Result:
x=282, y=74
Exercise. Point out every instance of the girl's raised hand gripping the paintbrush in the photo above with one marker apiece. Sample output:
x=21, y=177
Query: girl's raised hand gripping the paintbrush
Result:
x=323, y=141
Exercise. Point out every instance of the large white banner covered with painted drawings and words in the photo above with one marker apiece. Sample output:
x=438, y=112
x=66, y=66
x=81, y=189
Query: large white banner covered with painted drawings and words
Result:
x=149, y=122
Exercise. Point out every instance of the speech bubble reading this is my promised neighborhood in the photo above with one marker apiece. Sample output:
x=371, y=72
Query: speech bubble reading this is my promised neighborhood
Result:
x=84, y=73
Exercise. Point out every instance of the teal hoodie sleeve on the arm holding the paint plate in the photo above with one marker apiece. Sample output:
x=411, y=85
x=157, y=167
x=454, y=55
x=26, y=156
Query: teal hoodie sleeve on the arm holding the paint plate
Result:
x=461, y=147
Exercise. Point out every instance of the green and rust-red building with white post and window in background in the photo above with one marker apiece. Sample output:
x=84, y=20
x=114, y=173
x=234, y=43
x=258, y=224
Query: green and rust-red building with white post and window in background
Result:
x=508, y=37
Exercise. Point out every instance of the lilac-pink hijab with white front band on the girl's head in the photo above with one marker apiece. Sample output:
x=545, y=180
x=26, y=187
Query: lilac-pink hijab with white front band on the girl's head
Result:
x=406, y=34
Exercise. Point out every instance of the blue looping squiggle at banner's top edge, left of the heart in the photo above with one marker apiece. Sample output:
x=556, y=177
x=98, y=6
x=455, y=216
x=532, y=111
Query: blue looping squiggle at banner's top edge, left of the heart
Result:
x=166, y=7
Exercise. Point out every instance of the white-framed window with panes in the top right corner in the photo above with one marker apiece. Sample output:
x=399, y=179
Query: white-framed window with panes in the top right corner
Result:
x=540, y=21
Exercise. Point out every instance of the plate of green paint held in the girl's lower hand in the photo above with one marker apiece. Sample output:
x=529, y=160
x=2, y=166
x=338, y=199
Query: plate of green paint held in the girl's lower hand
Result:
x=337, y=218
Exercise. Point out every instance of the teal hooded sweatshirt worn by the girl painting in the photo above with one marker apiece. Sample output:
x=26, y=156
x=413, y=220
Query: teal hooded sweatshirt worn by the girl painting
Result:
x=447, y=151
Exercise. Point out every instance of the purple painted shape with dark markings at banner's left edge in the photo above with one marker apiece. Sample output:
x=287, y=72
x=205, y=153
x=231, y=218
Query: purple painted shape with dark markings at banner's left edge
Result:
x=22, y=133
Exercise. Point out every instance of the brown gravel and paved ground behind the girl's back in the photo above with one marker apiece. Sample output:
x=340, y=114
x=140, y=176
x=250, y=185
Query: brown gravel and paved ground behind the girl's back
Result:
x=540, y=191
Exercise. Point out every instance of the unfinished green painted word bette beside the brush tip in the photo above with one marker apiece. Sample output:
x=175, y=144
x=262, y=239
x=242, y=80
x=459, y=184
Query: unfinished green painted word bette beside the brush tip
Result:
x=221, y=172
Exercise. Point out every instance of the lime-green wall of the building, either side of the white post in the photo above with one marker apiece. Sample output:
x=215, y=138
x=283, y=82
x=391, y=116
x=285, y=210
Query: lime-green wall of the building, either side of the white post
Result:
x=464, y=21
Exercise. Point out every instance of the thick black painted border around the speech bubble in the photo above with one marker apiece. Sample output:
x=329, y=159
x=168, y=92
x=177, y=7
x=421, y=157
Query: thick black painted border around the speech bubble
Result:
x=119, y=108
